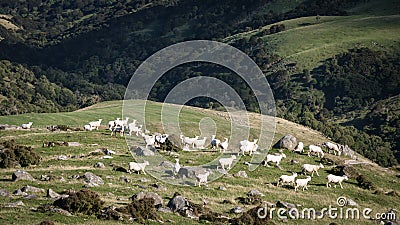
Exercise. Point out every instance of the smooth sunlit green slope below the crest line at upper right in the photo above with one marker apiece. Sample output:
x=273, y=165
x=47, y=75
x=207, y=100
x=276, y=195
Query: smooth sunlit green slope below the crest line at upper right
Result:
x=310, y=44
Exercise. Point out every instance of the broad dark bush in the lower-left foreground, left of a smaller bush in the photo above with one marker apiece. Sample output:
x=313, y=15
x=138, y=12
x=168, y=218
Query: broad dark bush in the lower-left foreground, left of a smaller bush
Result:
x=84, y=201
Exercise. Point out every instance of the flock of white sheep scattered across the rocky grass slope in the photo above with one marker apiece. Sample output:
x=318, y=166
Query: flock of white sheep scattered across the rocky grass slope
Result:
x=245, y=147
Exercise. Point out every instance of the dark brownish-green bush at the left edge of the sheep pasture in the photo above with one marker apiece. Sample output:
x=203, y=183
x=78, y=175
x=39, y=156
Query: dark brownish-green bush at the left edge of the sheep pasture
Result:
x=12, y=155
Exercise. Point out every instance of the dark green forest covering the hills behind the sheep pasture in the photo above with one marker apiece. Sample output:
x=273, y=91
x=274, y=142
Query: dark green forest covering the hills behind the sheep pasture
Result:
x=72, y=54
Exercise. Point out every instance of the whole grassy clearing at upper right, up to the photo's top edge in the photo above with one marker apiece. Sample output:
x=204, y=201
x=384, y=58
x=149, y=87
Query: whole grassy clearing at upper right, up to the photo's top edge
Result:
x=307, y=41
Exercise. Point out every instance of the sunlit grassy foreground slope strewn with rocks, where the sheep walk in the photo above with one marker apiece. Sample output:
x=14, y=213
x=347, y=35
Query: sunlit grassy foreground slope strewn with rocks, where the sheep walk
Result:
x=116, y=191
